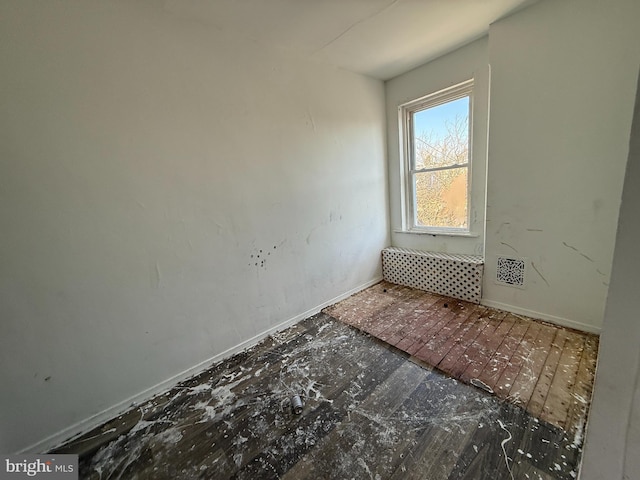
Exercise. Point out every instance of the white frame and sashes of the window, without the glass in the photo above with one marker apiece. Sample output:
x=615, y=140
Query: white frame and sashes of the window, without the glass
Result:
x=407, y=154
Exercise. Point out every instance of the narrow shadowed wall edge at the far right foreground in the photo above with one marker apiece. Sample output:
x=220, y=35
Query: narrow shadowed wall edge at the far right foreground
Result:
x=613, y=436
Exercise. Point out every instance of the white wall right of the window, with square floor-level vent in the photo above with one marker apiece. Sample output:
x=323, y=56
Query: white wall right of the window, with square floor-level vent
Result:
x=562, y=87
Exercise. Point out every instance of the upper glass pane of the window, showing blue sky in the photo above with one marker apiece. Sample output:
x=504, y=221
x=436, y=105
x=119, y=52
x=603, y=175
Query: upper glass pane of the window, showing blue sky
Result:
x=441, y=135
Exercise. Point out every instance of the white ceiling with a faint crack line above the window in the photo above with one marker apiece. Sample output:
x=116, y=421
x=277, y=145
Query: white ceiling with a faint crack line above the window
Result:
x=380, y=38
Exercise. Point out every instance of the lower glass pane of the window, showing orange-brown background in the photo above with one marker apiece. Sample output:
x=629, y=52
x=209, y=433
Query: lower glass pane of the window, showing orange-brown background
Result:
x=441, y=198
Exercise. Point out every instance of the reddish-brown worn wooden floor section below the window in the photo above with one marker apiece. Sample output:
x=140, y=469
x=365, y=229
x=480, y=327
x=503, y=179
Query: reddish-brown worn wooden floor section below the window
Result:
x=549, y=370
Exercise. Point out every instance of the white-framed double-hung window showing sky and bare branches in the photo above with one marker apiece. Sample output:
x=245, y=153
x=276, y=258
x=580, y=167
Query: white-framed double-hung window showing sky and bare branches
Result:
x=437, y=160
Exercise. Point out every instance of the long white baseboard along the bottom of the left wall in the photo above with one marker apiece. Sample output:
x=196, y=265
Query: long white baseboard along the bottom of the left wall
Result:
x=98, y=419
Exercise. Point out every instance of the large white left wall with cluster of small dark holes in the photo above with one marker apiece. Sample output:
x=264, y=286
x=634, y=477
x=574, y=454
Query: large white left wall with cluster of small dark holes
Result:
x=166, y=194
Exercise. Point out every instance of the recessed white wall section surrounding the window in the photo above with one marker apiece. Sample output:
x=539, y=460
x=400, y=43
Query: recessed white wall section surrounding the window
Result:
x=465, y=63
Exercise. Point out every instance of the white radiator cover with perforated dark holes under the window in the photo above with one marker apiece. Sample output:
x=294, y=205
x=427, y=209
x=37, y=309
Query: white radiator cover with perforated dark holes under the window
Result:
x=457, y=276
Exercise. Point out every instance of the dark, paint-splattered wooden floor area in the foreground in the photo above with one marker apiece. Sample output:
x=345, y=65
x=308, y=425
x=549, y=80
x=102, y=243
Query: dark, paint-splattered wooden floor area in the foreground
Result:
x=371, y=412
